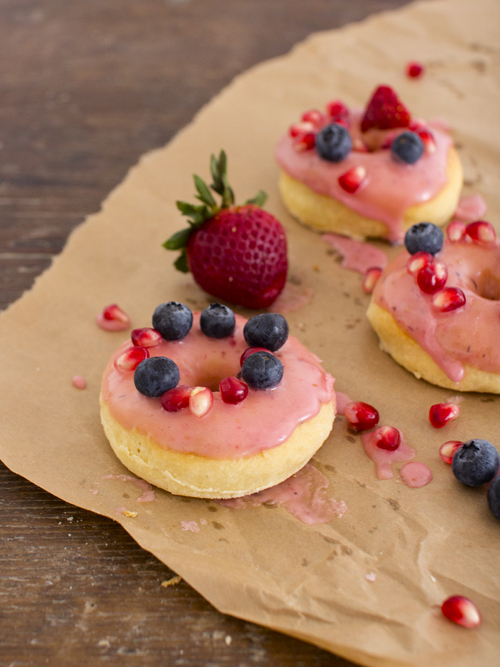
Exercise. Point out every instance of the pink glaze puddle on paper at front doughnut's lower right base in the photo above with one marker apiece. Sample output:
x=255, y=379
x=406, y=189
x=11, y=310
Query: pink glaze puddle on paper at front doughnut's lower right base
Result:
x=302, y=495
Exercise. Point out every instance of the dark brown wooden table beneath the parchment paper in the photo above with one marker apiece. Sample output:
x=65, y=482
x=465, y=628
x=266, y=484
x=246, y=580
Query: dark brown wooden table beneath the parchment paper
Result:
x=85, y=89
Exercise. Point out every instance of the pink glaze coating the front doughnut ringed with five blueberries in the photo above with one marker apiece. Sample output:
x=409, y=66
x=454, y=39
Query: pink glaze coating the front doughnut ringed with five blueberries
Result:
x=265, y=419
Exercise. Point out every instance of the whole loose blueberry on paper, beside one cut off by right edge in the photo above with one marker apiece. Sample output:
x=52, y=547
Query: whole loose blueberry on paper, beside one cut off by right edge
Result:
x=475, y=462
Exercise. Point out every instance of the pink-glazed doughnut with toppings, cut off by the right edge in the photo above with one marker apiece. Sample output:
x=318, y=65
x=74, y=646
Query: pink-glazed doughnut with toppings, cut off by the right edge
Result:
x=437, y=310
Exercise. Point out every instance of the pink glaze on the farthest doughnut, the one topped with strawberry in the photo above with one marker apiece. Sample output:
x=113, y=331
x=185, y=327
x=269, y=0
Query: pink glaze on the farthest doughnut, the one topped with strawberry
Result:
x=391, y=187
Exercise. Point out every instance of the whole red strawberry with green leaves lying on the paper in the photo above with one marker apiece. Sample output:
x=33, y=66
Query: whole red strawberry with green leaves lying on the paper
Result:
x=235, y=253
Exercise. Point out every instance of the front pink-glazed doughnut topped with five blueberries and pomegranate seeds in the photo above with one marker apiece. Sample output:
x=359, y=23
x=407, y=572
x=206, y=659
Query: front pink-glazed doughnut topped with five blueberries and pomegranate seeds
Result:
x=189, y=439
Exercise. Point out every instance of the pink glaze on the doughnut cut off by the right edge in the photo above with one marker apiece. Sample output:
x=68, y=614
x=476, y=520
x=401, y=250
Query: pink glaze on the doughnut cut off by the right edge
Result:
x=468, y=335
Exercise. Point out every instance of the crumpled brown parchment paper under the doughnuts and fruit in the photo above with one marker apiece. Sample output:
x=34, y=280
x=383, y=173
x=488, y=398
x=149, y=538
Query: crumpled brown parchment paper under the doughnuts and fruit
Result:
x=260, y=564
